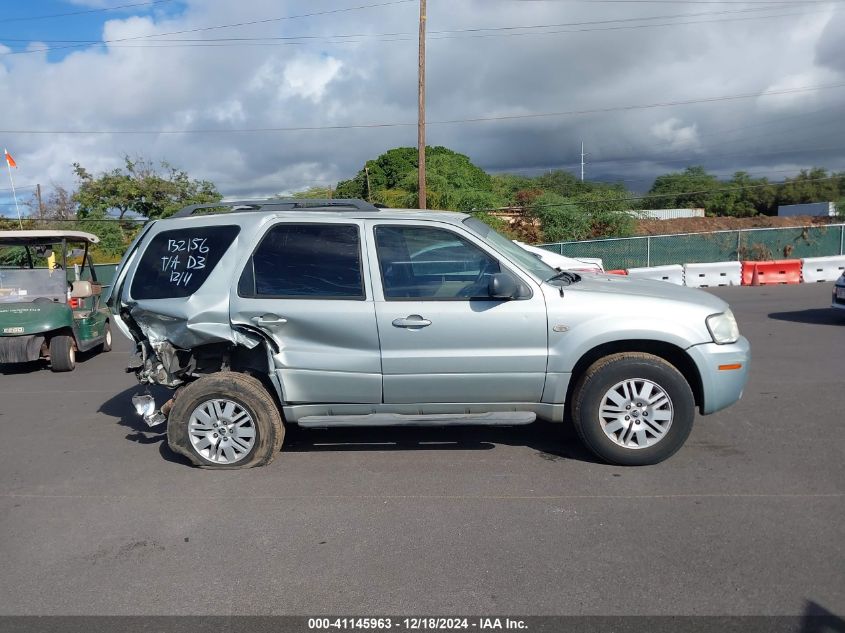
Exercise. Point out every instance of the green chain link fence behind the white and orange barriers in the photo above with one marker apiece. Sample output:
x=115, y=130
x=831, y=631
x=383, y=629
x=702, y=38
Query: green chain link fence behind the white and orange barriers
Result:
x=717, y=246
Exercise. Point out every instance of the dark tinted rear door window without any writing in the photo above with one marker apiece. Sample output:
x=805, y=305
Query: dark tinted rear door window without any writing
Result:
x=305, y=261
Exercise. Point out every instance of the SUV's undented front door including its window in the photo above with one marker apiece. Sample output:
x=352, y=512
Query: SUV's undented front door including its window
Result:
x=443, y=339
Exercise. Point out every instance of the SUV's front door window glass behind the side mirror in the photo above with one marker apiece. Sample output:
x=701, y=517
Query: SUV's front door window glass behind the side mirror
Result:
x=427, y=263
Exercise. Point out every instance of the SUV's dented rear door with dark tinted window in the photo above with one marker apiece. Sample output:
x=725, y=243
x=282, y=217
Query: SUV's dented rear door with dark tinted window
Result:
x=305, y=286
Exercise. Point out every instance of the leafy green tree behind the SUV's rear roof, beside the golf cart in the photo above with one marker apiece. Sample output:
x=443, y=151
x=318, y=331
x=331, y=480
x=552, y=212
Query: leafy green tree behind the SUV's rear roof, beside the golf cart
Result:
x=139, y=187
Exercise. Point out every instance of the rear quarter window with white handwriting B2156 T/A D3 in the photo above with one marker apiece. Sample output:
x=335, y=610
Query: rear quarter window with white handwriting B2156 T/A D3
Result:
x=176, y=263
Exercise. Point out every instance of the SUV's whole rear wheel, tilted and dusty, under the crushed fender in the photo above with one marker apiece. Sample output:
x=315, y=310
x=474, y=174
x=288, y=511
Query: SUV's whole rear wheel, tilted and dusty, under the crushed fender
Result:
x=225, y=421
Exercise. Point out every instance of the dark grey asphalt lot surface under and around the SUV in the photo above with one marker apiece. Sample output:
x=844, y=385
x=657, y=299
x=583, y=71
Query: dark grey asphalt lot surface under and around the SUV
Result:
x=97, y=516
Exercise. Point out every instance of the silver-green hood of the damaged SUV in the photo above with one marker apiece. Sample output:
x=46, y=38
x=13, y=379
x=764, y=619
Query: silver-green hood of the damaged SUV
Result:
x=647, y=288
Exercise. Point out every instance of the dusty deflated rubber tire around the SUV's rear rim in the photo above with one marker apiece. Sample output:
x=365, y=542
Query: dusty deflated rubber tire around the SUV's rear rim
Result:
x=246, y=392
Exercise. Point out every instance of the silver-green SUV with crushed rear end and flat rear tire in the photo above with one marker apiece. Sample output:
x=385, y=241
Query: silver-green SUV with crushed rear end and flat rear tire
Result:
x=337, y=313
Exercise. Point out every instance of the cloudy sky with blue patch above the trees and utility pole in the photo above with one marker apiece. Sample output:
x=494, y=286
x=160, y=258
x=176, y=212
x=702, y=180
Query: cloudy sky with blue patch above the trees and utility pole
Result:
x=268, y=96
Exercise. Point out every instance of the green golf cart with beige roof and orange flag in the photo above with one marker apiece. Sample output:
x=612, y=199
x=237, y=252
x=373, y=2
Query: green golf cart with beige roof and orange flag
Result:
x=50, y=308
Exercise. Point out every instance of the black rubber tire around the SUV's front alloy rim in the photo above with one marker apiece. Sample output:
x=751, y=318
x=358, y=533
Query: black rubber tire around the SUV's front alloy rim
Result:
x=604, y=375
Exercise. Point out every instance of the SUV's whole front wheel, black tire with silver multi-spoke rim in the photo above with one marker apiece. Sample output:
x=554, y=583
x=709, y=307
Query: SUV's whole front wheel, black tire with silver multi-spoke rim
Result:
x=609, y=421
